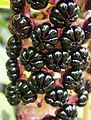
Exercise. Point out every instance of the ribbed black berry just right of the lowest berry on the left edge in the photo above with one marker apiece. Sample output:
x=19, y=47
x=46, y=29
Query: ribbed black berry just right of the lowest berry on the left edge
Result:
x=27, y=95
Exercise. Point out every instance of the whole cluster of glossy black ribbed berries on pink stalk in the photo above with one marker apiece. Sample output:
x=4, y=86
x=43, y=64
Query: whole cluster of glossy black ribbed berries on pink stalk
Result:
x=56, y=47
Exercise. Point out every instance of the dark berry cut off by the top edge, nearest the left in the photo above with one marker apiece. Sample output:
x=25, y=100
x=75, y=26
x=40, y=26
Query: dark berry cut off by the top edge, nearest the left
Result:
x=17, y=6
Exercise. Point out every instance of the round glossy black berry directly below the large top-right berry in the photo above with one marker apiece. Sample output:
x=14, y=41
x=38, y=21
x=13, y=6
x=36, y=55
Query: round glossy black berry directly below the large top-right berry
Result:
x=71, y=38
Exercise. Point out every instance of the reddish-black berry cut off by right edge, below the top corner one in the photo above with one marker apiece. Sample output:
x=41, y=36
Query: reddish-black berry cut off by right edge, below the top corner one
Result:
x=87, y=28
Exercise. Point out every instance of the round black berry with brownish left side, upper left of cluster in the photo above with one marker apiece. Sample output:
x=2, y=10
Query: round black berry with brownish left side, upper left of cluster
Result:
x=20, y=26
